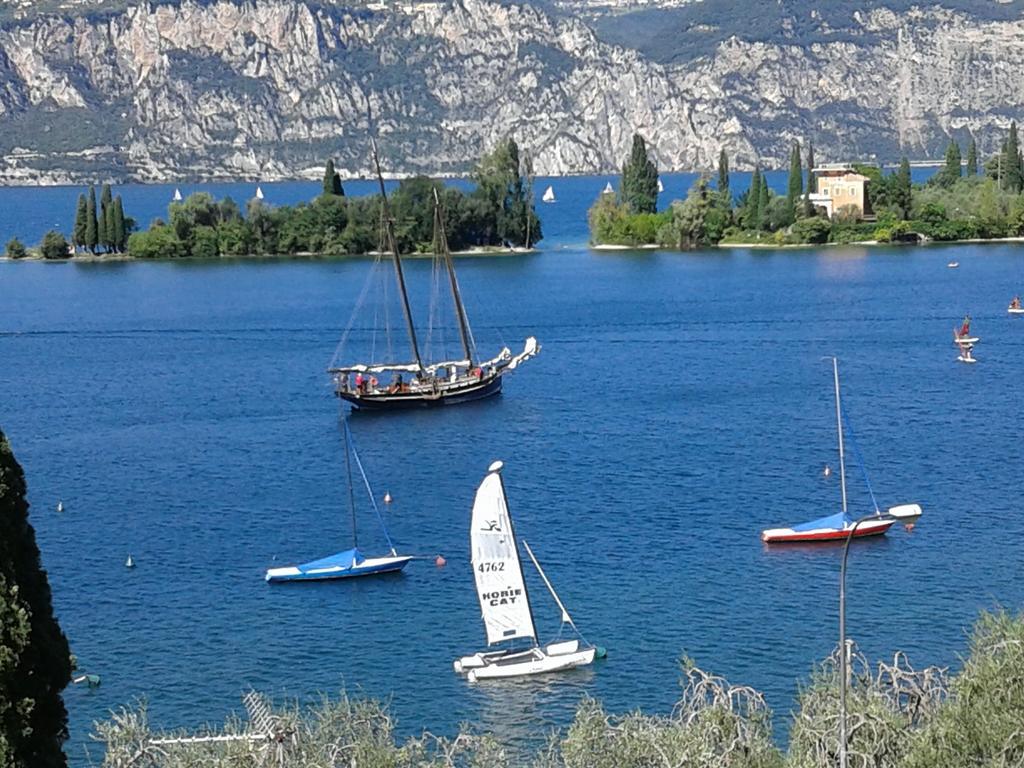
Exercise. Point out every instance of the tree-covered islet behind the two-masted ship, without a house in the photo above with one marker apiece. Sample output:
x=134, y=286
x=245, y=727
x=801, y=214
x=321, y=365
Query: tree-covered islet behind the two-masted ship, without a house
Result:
x=499, y=214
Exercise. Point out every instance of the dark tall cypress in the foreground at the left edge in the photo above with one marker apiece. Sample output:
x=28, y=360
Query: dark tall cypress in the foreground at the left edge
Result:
x=35, y=661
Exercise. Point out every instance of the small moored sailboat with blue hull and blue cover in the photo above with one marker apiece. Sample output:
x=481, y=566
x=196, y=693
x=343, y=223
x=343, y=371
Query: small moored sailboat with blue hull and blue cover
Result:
x=352, y=563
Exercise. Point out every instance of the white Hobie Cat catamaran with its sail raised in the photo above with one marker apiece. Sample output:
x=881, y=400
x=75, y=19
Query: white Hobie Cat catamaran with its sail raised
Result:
x=505, y=605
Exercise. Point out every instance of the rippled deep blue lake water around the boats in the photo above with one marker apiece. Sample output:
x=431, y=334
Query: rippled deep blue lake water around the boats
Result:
x=680, y=405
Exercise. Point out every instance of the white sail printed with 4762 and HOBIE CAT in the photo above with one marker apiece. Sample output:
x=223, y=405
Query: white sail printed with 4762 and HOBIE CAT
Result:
x=500, y=586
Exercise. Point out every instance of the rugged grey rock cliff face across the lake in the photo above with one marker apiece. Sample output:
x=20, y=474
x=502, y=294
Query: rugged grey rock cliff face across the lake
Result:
x=271, y=89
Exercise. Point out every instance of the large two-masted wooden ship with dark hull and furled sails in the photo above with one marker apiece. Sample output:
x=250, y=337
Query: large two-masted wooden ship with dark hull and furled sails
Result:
x=448, y=381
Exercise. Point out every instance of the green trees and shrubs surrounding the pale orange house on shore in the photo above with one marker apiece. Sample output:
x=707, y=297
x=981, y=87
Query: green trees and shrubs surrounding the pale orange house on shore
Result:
x=961, y=202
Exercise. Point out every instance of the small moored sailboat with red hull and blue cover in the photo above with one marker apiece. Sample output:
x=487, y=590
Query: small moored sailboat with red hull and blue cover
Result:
x=839, y=526
